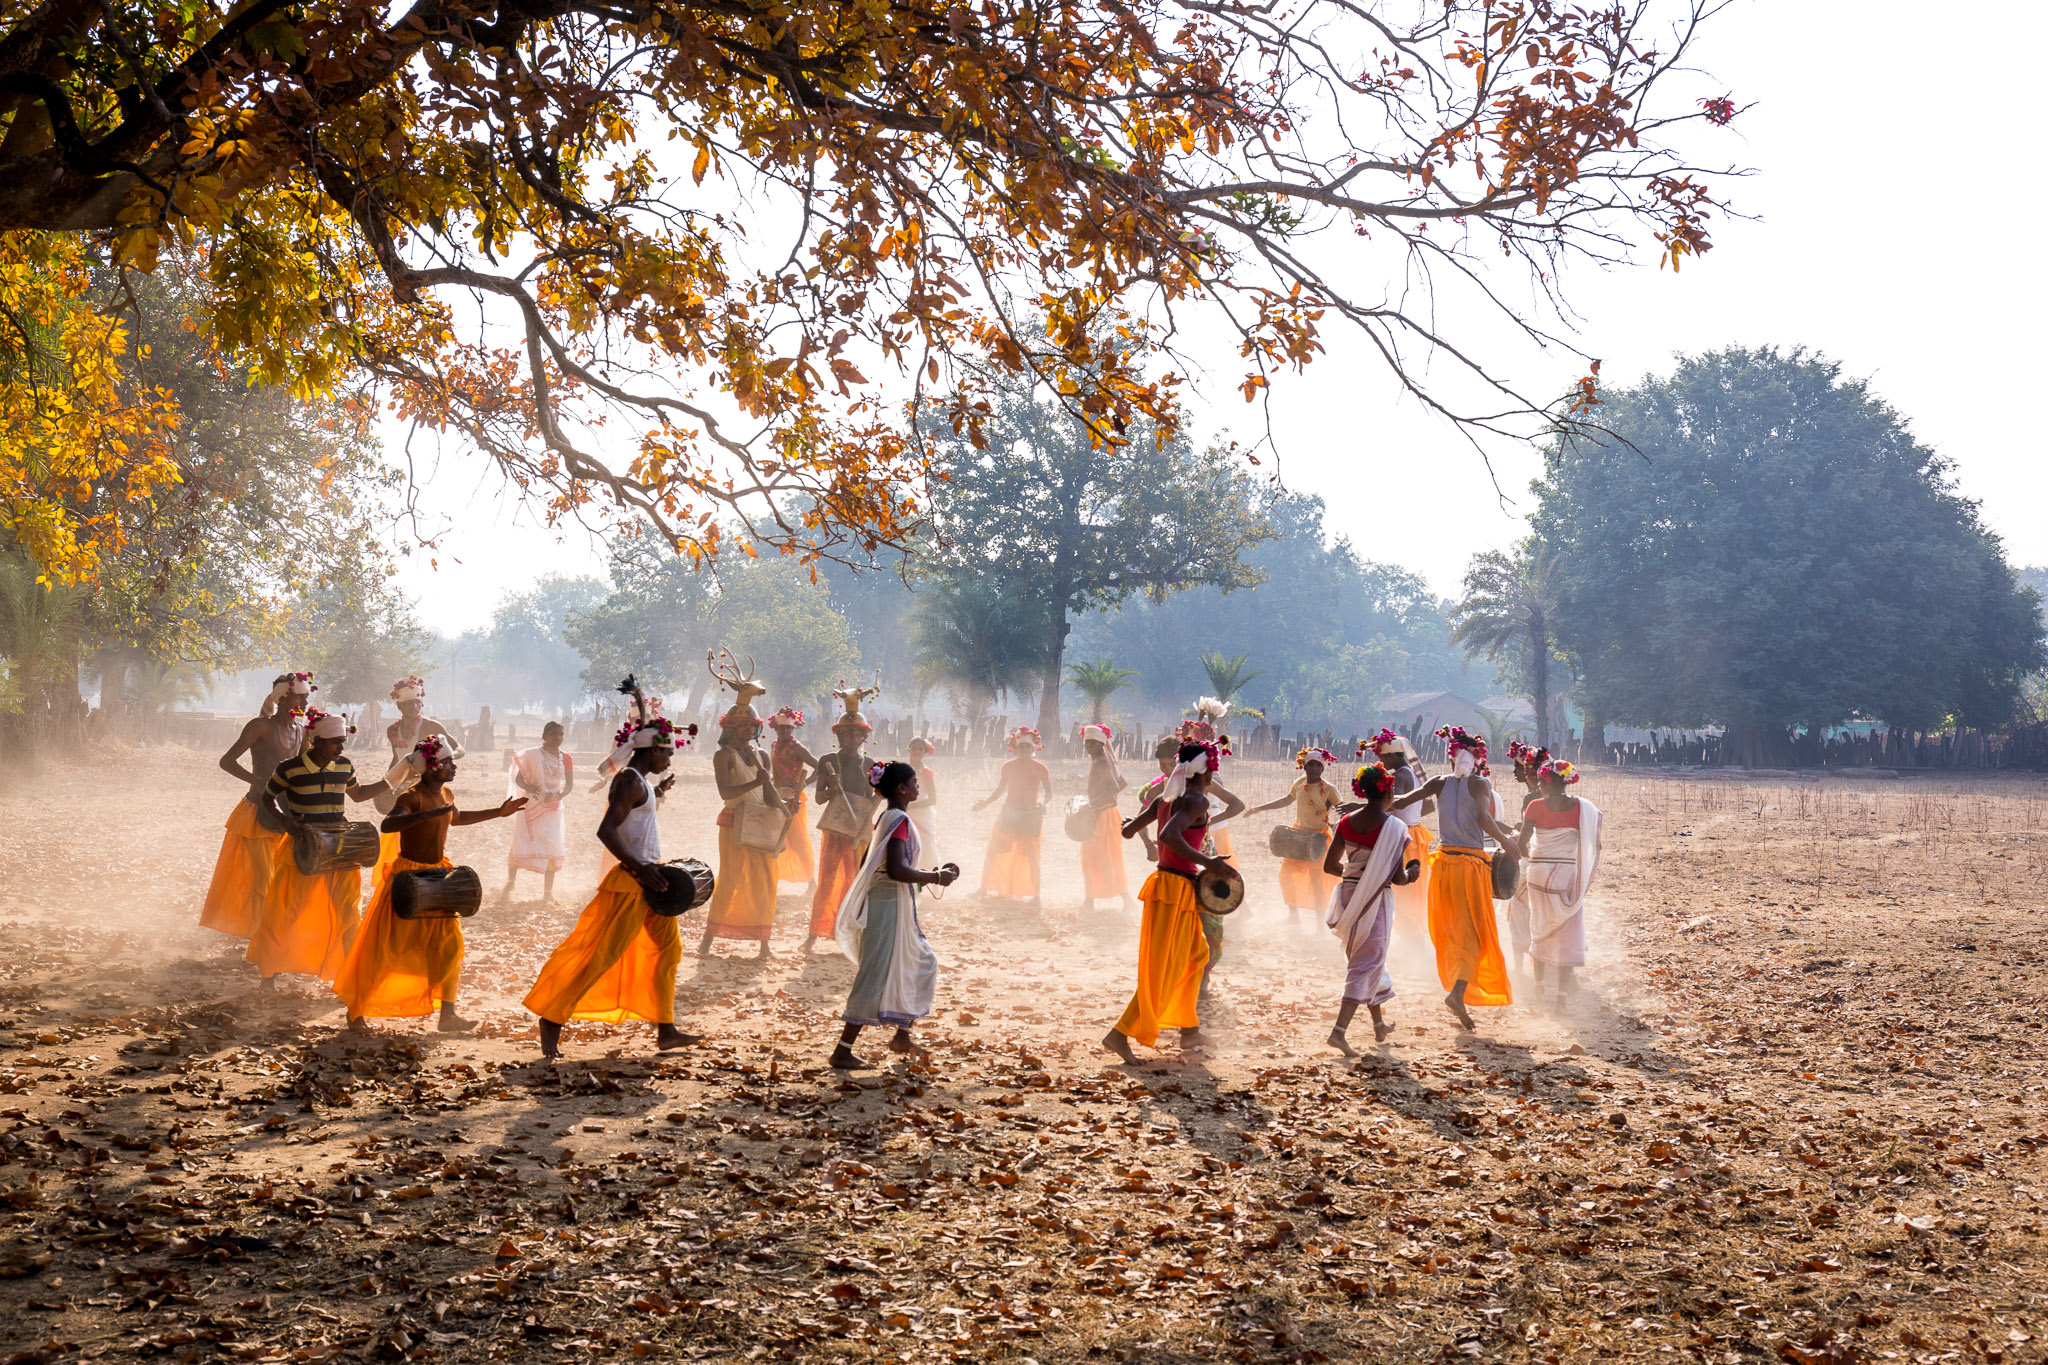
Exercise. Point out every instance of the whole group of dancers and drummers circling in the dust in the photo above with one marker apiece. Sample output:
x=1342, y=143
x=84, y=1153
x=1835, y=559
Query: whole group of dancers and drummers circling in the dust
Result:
x=876, y=854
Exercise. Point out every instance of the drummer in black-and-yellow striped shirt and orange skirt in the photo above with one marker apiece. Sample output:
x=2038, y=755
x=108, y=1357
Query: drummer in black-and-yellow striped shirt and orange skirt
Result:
x=310, y=922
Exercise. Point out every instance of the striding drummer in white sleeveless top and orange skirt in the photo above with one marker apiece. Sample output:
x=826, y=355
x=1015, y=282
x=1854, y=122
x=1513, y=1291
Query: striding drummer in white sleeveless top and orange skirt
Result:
x=620, y=961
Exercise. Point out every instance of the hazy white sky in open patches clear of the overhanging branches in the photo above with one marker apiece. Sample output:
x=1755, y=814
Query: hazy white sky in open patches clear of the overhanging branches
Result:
x=1877, y=161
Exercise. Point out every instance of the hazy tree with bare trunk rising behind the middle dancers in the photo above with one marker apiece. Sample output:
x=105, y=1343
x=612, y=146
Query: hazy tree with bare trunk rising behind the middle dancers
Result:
x=1072, y=521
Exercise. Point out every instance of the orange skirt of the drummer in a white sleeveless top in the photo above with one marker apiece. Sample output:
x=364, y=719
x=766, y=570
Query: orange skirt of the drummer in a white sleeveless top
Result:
x=620, y=961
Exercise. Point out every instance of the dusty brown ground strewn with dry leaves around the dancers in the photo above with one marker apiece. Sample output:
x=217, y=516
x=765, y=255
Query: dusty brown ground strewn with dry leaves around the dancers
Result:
x=1795, y=1116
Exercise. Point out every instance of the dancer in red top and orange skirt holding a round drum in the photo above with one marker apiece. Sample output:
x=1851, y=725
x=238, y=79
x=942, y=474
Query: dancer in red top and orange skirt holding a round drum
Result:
x=1172, y=946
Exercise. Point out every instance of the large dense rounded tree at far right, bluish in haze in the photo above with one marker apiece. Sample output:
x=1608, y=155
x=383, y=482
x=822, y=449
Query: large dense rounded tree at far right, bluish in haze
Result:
x=1781, y=554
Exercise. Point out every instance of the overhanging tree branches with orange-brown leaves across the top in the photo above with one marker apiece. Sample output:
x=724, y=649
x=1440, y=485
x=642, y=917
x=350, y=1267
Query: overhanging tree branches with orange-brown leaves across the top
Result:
x=646, y=253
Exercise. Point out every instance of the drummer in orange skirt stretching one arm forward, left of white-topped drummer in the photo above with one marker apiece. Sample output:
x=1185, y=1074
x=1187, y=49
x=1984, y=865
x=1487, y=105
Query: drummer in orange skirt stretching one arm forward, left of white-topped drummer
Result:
x=402, y=969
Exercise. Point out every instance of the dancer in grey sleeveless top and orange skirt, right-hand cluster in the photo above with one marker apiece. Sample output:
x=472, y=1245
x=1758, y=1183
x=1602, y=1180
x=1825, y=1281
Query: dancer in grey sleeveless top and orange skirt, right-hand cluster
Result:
x=1461, y=881
